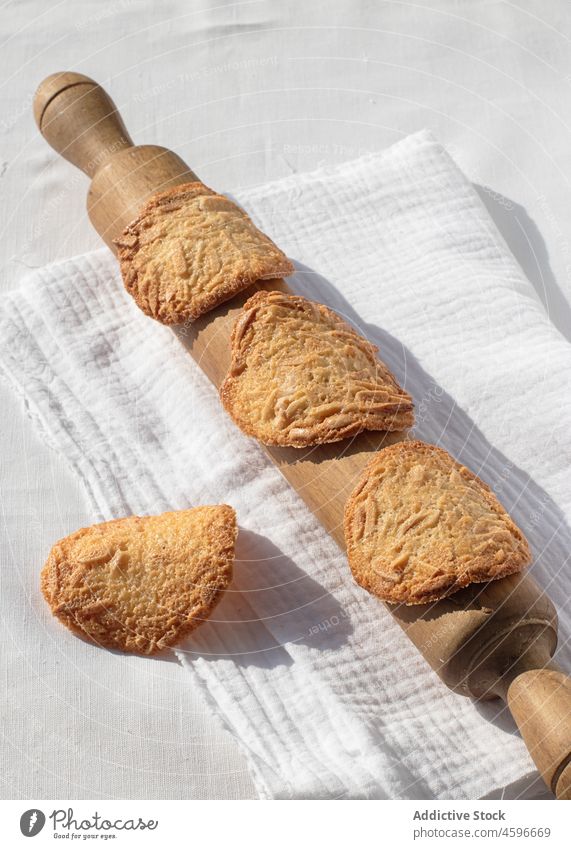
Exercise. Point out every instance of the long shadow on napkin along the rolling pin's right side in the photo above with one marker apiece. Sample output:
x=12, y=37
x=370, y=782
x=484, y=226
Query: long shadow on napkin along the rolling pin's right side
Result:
x=441, y=421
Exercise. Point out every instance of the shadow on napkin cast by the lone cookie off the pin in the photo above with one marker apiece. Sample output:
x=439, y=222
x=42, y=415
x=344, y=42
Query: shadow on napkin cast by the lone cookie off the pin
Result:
x=271, y=607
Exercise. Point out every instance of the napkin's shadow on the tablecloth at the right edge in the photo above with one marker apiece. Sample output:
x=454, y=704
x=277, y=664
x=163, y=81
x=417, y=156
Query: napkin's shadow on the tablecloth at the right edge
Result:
x=526, y=243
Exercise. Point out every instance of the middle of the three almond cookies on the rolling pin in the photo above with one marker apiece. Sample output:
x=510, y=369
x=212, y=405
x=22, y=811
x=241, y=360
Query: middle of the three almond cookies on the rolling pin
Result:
x=300, y=376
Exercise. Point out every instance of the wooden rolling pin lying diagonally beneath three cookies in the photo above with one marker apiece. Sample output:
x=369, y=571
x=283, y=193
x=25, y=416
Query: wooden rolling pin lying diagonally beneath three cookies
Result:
x=486, y=641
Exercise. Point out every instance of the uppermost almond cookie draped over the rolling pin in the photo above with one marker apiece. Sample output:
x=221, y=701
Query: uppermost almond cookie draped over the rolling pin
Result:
x=190, y=250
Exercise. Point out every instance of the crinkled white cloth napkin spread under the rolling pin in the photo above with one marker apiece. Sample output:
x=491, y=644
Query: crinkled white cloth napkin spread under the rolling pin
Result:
x=323, y=692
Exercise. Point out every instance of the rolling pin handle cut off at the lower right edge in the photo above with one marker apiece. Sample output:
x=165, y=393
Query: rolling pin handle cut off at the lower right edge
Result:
x=540, y=702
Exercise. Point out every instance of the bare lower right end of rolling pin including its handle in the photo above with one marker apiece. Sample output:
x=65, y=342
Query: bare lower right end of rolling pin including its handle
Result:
x=497, y=640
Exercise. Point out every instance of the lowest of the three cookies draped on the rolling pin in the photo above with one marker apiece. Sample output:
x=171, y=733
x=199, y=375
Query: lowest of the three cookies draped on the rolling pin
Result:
x=420, y=526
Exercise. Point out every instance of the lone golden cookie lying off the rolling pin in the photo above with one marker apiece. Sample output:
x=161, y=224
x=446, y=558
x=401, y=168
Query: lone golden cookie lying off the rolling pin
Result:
x=140, y=584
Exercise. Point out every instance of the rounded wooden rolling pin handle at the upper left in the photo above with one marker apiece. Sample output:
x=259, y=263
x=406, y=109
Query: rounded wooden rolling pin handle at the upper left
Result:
x=79, y=120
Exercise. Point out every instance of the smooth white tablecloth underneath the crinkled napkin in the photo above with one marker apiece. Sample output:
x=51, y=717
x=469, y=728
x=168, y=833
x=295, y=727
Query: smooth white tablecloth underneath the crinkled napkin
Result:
x=245, y=92
